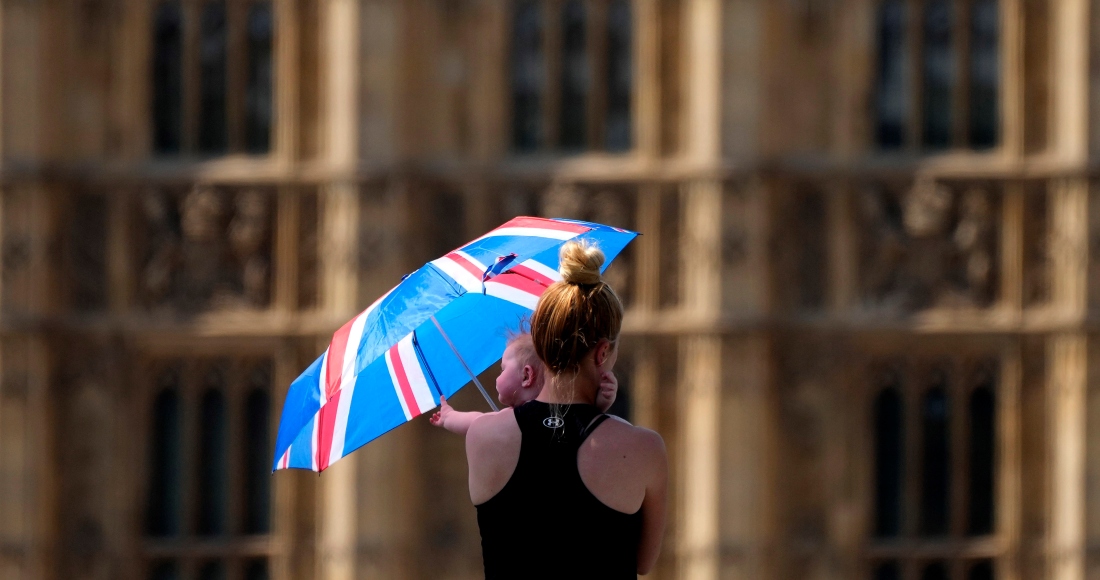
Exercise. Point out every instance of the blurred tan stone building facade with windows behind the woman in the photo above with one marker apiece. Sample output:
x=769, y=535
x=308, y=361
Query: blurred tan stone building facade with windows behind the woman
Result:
x=862, y=313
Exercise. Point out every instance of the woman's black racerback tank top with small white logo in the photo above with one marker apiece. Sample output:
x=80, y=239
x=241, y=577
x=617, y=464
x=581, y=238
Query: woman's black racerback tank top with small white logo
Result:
x=546, y=523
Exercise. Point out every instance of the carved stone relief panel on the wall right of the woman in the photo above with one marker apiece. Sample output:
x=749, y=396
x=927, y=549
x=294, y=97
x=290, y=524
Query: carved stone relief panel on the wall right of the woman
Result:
x=934, y=246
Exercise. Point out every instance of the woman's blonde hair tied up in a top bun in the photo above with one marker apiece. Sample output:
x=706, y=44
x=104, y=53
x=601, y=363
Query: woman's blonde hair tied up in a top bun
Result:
x=576, y=314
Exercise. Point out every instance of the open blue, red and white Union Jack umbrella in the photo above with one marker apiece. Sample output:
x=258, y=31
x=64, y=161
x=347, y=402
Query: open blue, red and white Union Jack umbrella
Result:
x=426, y=338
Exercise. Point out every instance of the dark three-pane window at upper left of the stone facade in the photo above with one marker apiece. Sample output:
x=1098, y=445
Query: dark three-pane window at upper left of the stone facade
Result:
x=212, y=78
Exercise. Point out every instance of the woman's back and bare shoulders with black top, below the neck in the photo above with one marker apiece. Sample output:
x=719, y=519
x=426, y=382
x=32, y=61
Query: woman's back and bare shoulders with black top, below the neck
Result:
x=566, y=502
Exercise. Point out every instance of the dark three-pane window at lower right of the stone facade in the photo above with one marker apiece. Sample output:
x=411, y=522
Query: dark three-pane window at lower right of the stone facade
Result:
x=934, y=448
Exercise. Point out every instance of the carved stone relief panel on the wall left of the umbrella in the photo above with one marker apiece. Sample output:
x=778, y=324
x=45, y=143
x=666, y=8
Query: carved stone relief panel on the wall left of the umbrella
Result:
x=206, y=249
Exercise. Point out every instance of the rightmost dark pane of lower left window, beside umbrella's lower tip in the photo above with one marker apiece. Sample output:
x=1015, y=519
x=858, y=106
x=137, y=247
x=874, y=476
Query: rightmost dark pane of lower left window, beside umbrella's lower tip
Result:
x=258, y=456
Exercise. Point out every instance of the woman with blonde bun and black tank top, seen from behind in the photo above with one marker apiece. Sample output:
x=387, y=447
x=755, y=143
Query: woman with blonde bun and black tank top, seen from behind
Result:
x=560, y=491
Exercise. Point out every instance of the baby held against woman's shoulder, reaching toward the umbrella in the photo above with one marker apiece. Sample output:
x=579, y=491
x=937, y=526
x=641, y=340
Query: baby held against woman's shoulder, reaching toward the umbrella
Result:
x=521, y=380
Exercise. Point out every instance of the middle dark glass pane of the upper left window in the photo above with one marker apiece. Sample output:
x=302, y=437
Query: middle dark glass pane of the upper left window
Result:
x=214, y=134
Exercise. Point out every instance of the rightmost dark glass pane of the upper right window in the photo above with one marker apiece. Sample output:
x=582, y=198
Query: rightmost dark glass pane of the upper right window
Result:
x=985, y=74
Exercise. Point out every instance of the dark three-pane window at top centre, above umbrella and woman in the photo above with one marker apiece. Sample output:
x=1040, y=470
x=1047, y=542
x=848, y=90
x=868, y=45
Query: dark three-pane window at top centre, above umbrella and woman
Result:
x=571, y=75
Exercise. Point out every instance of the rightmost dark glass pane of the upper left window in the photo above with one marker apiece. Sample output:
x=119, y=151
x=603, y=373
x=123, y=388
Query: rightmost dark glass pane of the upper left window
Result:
x=259, y=101
